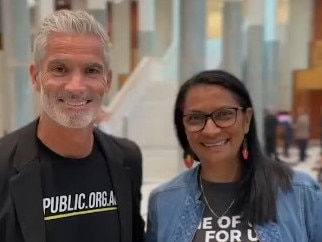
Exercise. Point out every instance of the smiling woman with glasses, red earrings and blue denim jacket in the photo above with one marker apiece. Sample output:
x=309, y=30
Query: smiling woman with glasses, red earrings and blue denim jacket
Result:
x=236, y=193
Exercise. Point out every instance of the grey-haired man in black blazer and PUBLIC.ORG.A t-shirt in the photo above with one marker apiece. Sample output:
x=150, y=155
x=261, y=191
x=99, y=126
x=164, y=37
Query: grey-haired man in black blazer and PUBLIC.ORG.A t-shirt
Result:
x=60, y=178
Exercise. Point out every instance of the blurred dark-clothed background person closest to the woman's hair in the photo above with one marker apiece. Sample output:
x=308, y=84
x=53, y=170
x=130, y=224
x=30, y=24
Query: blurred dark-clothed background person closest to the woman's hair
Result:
x=270, y=133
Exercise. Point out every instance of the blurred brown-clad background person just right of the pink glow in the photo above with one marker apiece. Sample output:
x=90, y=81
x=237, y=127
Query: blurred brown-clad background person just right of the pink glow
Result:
x=302, y=132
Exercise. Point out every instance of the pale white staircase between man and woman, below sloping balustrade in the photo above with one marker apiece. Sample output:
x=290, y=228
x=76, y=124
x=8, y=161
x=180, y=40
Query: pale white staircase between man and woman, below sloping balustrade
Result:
x=150, y=125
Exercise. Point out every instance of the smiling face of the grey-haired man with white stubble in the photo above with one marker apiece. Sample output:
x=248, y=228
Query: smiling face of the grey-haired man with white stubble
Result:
x=72, y=79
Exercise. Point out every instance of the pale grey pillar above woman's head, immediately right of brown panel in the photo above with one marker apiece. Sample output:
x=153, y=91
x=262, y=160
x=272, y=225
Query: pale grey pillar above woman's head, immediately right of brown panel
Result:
x=232, y=35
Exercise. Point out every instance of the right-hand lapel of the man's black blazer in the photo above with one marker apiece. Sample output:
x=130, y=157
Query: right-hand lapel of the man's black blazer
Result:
x=121, y=181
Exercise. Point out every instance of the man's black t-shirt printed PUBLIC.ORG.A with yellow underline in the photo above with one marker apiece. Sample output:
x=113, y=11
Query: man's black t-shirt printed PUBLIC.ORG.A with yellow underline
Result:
x=79, y=201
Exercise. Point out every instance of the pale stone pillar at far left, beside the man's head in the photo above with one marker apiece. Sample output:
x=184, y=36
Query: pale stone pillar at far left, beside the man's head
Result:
x=17, y=46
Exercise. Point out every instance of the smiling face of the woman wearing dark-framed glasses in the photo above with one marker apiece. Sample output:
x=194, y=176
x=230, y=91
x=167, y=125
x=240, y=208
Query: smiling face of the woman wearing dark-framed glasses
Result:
x=213, y=143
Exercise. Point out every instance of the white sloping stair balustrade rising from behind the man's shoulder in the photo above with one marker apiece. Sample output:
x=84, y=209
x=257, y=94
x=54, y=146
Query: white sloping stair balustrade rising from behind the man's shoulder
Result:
x=149, y=69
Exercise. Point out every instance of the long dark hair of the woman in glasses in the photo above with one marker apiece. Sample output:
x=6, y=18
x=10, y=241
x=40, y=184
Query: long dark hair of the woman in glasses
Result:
x=262, y=177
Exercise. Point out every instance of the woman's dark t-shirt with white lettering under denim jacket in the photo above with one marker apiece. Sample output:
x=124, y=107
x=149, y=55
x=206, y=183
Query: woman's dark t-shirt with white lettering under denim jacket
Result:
x=229, y=227
